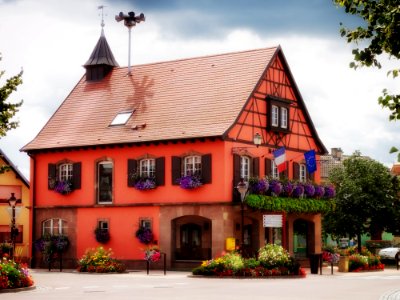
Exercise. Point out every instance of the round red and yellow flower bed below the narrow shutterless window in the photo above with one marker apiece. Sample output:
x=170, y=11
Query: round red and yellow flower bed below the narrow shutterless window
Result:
x=100, y=261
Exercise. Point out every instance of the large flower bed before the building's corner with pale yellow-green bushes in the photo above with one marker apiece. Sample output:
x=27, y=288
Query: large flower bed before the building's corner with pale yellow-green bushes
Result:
x=272, y=261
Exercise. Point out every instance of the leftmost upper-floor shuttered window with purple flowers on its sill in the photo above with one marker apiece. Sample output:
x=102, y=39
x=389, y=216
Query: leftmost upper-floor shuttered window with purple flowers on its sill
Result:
x=64, y=176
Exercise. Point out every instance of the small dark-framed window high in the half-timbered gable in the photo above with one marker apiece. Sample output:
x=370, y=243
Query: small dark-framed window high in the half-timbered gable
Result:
x=278, y=114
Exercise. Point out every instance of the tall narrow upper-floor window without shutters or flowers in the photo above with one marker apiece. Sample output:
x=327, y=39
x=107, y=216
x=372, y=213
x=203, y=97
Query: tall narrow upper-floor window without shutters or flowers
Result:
x=104, y=181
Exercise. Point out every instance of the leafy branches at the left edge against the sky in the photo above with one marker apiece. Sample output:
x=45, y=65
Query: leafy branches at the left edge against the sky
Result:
x=8, y=109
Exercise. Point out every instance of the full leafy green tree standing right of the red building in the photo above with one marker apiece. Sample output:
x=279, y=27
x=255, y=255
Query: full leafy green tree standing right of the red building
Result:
x=366, y=199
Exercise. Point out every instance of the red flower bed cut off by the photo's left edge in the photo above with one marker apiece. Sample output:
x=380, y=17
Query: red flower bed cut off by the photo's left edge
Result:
x=14, y=275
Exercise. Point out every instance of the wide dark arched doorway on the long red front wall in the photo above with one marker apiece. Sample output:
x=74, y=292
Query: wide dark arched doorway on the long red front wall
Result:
x=191, y=238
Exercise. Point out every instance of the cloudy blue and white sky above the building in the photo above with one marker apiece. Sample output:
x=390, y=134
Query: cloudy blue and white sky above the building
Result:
x=51, y=40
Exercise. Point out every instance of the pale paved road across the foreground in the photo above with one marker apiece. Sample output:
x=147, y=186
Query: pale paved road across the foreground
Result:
x=383, y=285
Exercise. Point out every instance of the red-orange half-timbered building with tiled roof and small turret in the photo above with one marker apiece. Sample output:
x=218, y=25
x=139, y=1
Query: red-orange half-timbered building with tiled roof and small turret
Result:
x=164, y=121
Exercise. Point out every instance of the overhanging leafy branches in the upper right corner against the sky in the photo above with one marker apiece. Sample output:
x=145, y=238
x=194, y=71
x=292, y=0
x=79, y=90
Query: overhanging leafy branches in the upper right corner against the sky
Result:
x=379, y=35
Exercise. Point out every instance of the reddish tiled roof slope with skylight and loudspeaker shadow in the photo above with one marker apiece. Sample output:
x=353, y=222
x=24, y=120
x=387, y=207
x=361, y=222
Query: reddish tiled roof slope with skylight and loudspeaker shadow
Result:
x=187, y=98
